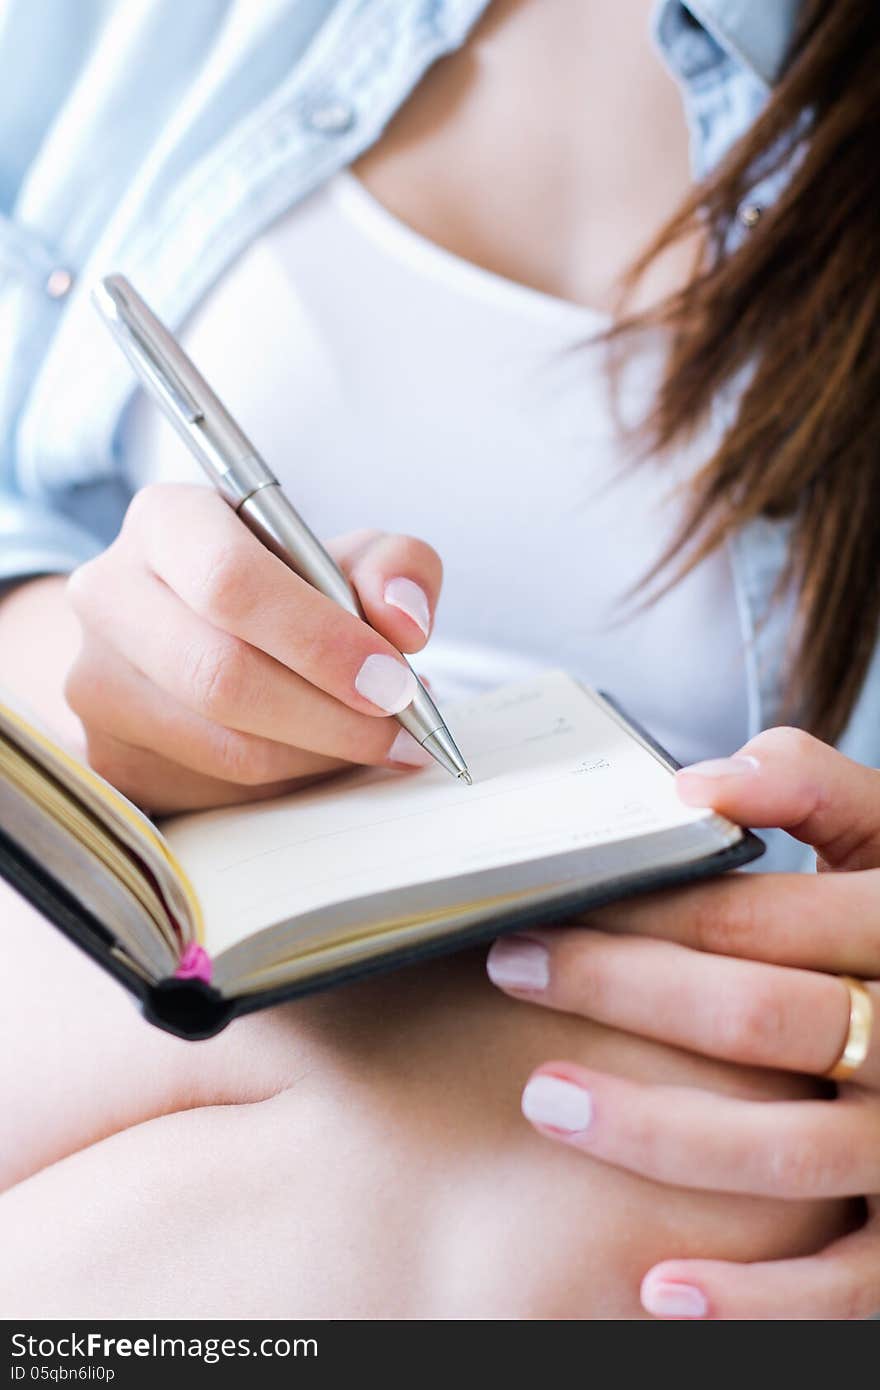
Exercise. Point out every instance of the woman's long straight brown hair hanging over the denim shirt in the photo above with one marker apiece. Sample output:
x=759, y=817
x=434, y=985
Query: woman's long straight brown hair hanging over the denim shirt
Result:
x=797, y=308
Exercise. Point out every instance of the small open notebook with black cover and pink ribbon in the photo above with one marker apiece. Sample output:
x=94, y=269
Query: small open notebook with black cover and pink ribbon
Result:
x=209, y=915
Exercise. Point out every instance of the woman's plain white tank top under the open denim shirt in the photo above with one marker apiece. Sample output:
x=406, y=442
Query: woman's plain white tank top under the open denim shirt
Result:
x=393, y=384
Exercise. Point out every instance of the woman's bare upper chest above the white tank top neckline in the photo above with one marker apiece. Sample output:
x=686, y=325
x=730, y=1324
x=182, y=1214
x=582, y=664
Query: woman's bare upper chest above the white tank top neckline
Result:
x=553, y=163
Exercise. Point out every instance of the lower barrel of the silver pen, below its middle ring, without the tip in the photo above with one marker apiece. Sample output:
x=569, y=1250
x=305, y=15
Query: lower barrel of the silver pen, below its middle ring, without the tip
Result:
x=275, y=522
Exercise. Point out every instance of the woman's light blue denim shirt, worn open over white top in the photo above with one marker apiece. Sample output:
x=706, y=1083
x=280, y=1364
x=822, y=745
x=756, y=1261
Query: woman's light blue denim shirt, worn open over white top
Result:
x=162, y=138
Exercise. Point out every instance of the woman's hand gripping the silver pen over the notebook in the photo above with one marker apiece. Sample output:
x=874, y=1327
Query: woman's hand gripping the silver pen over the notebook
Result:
x=209, y=673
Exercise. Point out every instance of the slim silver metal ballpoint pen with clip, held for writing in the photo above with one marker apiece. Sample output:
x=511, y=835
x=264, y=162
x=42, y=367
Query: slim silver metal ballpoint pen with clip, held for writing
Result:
x=244, y=480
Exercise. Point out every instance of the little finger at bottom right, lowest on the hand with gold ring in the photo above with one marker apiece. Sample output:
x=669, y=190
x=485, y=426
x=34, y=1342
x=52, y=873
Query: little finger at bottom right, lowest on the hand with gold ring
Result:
x=839, y=1285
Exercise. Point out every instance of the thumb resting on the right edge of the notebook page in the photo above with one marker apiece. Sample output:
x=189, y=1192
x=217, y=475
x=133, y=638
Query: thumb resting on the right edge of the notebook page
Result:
x=786, y=778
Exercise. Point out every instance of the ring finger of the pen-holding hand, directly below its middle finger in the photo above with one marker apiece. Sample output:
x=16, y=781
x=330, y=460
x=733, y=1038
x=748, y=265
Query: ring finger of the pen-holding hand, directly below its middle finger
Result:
x=133, y=711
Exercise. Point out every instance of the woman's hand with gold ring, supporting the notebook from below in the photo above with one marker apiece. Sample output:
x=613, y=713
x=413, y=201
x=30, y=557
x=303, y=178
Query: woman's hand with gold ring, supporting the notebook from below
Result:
x=746, y=968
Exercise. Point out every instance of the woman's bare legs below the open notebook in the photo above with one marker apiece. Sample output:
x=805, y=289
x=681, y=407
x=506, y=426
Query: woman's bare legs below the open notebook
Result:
x=355, y=1156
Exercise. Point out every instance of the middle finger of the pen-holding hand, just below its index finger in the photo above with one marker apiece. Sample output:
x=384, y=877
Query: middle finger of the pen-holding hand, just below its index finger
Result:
x=218, y=676
